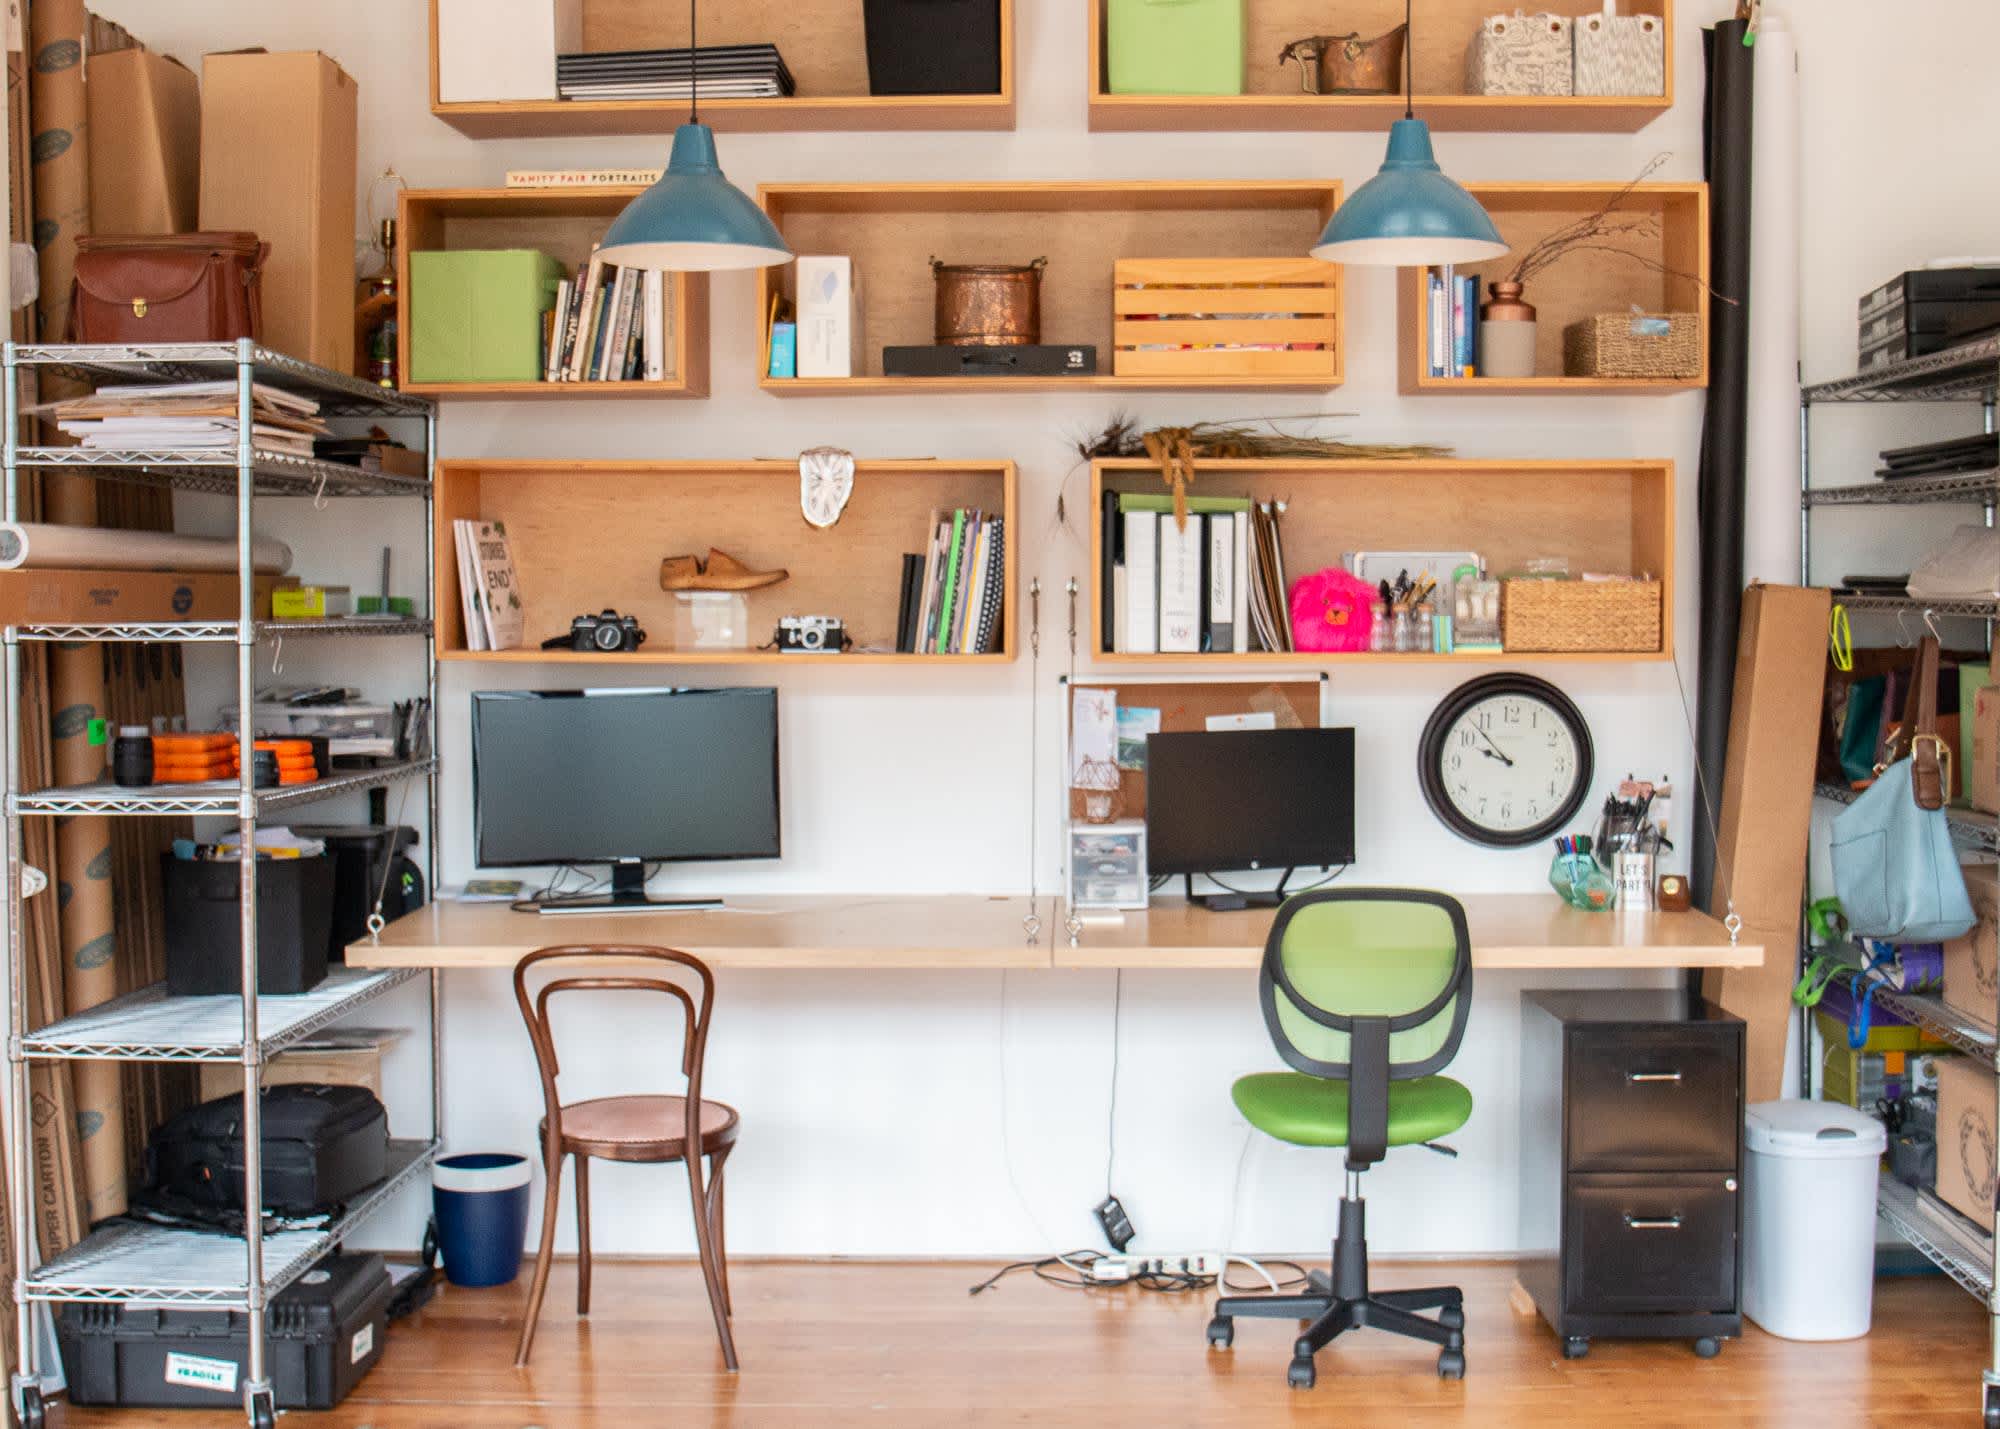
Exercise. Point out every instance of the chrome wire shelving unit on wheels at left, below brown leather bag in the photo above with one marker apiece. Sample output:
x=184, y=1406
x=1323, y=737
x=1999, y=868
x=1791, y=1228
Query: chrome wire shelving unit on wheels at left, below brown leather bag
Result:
x=149, y=1264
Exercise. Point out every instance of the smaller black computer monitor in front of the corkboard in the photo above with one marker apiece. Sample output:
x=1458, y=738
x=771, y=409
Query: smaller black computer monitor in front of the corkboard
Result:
x=1231, y=802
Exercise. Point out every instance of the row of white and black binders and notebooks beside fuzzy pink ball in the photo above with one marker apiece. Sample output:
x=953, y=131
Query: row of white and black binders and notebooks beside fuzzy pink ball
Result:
x=1215, y=585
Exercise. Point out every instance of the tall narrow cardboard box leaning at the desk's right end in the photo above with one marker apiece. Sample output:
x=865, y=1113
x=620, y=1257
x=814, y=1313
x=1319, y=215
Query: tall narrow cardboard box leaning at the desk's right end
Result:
x=1767, y=814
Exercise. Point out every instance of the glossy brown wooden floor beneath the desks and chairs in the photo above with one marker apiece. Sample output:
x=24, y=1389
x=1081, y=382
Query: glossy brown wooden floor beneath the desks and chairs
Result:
x=883, y=1344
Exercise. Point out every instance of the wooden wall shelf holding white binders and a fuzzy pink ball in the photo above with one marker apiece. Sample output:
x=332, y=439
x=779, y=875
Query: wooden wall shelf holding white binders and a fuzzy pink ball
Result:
x=1601, y=515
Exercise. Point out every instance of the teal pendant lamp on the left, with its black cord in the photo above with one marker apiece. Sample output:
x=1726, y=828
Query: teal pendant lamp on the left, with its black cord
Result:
x=693, y=219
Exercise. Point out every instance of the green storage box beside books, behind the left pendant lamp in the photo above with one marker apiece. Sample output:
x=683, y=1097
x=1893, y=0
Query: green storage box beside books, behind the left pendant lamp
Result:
x=477, y=315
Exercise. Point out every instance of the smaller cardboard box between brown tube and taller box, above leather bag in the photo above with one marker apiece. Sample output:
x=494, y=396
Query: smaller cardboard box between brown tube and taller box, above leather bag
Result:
x=145, y=145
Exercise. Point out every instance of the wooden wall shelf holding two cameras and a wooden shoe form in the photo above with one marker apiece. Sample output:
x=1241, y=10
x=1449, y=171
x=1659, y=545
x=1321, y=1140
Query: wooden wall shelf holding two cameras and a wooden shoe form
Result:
x=591, y=535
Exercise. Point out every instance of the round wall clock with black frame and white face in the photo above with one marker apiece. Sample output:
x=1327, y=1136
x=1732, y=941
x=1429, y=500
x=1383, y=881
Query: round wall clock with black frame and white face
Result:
x=1505, y=762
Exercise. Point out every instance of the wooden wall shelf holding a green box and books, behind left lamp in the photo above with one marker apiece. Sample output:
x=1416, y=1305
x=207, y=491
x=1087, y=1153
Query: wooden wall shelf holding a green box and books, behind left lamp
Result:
x=563, y=223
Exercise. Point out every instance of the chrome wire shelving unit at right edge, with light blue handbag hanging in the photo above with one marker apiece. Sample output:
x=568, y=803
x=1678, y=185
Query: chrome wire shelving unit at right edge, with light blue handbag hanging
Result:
x=1971, y=373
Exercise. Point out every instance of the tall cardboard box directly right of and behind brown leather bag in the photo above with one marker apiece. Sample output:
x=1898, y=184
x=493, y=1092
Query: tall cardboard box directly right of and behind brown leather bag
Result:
x=279, y=161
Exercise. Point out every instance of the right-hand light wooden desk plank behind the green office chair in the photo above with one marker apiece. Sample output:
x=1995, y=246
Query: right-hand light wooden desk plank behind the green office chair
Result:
x=1509, y=932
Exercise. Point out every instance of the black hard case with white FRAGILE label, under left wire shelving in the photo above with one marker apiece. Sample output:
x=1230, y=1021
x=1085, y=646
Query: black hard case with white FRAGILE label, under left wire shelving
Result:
x=325, y=1330
